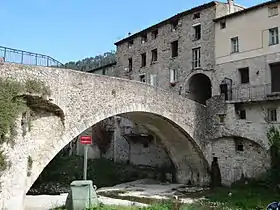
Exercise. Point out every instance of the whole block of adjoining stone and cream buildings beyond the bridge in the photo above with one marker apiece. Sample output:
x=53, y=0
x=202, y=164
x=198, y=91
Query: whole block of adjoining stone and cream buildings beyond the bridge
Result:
x=217, y=55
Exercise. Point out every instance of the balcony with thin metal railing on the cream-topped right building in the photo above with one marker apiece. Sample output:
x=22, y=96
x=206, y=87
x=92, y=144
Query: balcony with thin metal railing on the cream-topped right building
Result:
x=252, y=93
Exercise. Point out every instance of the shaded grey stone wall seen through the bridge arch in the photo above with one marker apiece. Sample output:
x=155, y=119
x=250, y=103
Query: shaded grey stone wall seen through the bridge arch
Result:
x=154, y=155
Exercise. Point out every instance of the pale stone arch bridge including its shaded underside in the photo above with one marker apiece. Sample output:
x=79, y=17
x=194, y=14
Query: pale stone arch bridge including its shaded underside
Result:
x=86, y=99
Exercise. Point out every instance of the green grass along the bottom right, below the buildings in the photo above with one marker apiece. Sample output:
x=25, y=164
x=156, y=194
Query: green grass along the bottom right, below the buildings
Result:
x=243, y=197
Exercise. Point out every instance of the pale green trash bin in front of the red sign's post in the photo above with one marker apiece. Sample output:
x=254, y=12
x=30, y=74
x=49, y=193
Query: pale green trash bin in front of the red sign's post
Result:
x=83, y=195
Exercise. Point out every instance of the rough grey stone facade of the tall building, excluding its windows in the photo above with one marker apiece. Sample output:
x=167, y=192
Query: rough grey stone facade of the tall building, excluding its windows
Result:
x=183, y=63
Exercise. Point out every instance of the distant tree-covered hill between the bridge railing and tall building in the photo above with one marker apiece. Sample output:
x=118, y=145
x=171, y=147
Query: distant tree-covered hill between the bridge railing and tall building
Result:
x=92, y=62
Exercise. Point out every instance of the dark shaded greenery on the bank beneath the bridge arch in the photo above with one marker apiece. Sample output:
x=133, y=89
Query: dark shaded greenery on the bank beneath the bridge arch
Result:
x=103, y=173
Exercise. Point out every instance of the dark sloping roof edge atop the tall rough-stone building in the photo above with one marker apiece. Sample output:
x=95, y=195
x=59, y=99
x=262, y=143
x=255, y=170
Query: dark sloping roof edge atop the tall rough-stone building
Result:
x=179, y=15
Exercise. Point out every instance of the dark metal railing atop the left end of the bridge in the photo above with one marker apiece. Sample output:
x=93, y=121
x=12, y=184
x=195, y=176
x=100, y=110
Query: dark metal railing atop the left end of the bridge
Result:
x=28, y=58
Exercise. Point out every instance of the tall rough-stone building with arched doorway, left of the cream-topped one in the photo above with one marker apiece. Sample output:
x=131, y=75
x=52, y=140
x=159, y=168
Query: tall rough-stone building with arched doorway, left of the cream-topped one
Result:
x=171, y=53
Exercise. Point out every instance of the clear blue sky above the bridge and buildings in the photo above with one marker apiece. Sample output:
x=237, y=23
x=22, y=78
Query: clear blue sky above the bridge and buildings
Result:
x=70, y=30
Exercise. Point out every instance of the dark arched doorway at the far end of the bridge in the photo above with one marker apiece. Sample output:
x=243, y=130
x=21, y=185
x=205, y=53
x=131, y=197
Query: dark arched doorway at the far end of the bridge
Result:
x=200, y=88
